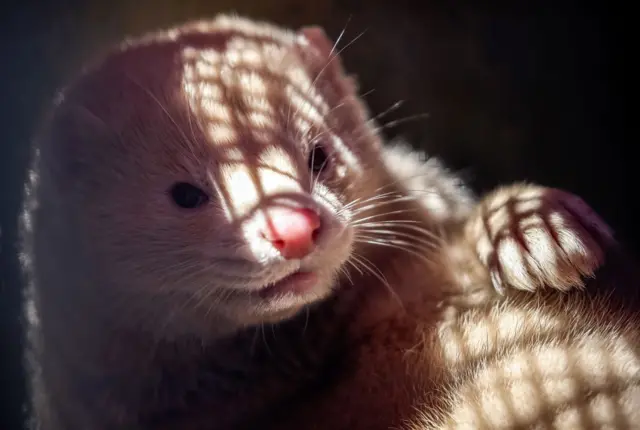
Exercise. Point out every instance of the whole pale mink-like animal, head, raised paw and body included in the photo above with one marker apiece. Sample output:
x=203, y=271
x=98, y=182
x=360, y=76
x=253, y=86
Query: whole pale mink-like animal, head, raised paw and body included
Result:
x=216, y=238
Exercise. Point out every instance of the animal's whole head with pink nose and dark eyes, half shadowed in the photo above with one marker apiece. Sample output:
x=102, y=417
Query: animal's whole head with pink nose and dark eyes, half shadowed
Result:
x=216, y=170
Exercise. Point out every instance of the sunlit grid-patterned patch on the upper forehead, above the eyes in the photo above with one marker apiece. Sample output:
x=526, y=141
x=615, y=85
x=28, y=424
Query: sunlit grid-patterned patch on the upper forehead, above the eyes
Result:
x=252, y=89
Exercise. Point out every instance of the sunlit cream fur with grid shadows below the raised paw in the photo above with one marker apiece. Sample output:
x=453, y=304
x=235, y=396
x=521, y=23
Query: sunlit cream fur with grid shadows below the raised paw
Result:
x=535, y=367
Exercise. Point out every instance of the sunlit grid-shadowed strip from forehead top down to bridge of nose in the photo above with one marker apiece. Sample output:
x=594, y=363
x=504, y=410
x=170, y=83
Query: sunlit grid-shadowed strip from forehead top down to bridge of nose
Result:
x=254, y=98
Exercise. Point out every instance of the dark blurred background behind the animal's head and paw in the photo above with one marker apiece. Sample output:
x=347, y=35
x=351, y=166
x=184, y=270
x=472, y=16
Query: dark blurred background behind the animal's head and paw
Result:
x=520, y=92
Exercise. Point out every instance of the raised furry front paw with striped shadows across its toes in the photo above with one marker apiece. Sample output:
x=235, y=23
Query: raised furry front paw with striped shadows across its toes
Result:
x=532, y=237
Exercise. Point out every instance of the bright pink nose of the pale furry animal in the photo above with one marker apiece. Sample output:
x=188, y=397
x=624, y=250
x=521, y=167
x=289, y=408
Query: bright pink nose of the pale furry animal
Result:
x=292, y=231
